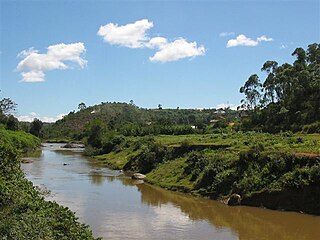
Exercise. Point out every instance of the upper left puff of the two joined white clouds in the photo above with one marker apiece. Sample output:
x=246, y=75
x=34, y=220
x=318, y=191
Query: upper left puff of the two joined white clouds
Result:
x=132, y=35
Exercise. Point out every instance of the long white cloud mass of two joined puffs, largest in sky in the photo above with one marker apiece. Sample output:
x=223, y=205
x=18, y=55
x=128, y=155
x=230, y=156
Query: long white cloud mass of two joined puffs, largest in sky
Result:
x=134, y=35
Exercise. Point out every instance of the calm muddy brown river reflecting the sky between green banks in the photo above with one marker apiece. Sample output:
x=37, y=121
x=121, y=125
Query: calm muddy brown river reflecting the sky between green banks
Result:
x=117, y=207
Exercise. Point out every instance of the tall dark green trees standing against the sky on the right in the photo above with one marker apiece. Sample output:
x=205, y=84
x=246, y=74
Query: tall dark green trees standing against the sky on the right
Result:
x=289, y=96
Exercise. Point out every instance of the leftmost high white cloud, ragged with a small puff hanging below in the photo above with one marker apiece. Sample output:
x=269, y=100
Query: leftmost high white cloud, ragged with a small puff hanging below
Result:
x=60, y=56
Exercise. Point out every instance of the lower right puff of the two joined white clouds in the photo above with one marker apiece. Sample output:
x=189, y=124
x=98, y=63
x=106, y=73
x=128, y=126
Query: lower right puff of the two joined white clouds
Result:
x=176, y=50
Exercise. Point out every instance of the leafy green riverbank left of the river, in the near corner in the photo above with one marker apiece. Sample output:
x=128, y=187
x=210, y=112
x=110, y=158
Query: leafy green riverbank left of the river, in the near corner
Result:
x=24, y=214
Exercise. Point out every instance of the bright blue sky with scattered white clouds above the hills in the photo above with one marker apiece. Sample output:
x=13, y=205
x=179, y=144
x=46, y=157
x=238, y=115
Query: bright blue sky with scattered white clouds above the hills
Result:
x=187, y=54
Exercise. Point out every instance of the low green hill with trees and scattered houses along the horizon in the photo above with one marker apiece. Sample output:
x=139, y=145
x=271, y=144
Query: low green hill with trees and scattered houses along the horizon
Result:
x=130, y=120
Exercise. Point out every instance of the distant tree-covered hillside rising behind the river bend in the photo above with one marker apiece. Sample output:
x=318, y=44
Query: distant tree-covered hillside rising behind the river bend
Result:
x=119, y=115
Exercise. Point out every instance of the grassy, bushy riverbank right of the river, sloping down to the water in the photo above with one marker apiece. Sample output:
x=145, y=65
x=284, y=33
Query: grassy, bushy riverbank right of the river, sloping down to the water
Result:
x=266, y=170
